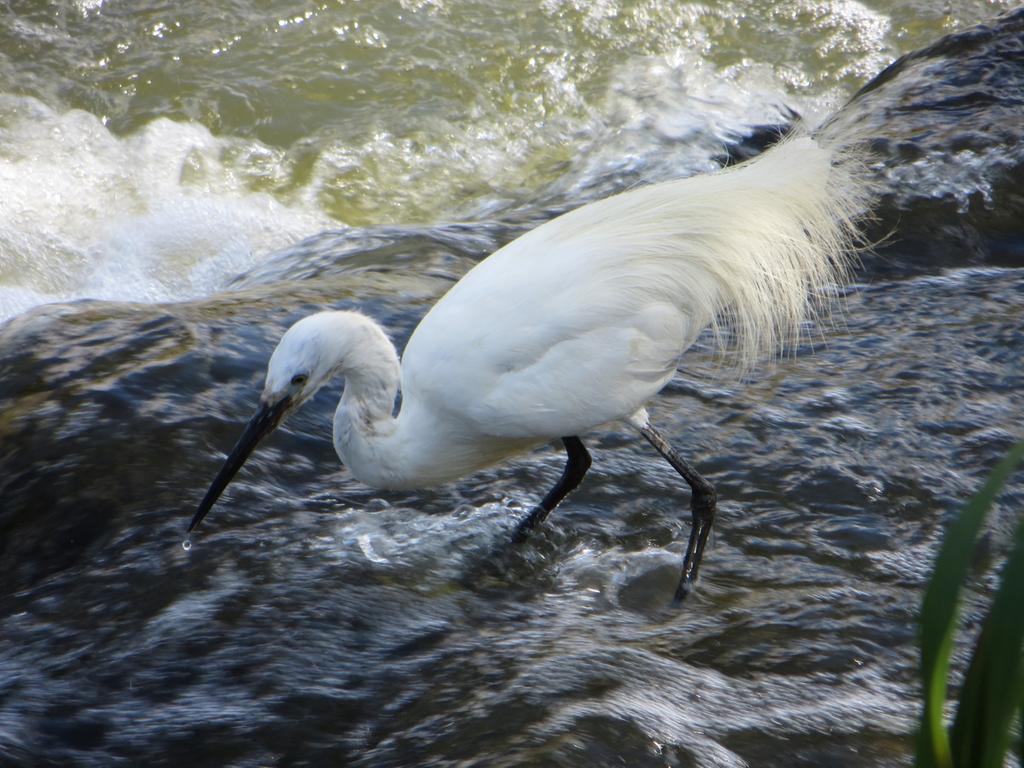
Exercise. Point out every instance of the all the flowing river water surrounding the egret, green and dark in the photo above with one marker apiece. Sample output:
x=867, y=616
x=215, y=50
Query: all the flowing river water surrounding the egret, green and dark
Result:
x=181, y=182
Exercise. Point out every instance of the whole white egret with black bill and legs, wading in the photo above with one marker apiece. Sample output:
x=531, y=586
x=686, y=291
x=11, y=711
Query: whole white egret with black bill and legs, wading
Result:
x=577, y=324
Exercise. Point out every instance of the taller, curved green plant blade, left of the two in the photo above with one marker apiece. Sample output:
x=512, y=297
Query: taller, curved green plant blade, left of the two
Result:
x=941, y=608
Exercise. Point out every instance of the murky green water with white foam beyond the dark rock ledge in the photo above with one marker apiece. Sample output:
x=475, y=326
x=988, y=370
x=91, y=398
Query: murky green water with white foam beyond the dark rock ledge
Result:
x=152, y=152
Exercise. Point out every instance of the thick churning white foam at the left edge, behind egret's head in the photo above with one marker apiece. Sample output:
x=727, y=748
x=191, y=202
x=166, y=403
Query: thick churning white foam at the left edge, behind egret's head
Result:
x=164, y=215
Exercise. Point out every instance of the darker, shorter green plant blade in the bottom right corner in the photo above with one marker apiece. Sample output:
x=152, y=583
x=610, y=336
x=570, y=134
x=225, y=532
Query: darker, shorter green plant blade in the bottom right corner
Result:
x=995, y=684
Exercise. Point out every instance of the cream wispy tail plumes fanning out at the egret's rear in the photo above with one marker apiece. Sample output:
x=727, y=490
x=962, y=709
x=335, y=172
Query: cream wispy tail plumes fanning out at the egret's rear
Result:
x=752, y=251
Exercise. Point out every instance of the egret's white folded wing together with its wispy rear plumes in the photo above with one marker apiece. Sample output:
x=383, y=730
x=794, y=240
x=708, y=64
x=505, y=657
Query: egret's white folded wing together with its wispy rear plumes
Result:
x=583, y=320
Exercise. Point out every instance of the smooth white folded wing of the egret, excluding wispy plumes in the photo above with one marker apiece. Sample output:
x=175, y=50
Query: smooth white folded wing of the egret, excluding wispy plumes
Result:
x=529, y=349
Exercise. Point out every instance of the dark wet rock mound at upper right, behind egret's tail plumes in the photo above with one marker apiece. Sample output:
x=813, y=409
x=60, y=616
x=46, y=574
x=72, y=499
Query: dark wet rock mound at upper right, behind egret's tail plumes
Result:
x=946, y=126
